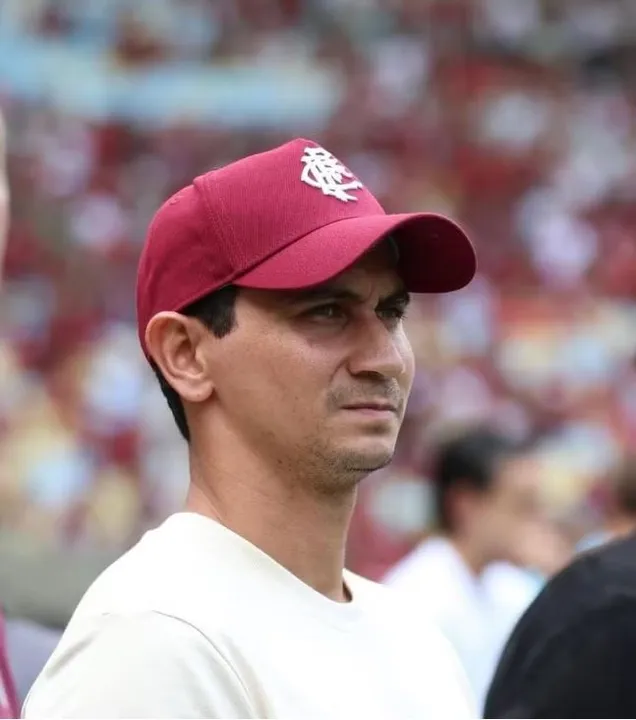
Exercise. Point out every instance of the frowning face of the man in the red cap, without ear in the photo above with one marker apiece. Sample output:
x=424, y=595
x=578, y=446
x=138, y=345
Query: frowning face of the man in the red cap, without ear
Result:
x=318, y=380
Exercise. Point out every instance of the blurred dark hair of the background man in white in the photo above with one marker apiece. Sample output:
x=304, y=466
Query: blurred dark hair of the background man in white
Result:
x=468, y=461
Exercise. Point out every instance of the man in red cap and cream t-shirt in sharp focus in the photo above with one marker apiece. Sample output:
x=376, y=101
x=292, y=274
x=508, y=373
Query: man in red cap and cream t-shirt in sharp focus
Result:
x=270, y=306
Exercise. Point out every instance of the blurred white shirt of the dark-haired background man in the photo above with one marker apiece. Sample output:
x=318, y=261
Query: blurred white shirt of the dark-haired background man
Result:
x=476, y=613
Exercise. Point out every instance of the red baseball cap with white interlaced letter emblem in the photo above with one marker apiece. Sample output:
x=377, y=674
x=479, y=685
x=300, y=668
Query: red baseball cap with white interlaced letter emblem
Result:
x=285, y=219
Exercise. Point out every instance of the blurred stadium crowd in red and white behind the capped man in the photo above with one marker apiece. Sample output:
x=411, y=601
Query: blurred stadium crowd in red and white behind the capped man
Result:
x=517, y=117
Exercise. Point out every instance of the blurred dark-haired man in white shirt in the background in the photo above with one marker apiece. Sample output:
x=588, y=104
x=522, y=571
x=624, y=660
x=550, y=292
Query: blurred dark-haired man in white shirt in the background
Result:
x=464, y=579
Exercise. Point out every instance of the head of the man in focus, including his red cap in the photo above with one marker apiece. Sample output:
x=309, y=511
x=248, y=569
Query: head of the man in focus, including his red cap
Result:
x=270, y=295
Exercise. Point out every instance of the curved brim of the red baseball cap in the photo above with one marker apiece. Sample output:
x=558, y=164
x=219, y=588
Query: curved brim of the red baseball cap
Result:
x=435, y=254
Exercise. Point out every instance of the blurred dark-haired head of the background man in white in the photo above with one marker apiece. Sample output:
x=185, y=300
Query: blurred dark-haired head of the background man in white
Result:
x=487, y=491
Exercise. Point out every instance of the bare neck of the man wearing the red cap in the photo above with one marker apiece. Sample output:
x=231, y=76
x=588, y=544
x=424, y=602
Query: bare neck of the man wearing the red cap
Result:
x=301, y=531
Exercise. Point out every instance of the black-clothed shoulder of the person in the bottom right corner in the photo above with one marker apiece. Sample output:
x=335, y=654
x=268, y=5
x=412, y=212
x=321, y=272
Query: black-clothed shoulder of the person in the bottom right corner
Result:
x=573, y=652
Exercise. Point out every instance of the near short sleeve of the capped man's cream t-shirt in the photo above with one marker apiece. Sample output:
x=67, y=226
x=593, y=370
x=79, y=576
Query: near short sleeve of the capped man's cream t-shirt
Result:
x=144, y=665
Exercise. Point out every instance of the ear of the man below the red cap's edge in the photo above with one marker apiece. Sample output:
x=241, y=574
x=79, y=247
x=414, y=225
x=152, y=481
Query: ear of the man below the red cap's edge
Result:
x=176, y=343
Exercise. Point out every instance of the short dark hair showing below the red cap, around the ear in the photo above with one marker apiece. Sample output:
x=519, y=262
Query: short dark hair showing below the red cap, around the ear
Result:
x=217, y=312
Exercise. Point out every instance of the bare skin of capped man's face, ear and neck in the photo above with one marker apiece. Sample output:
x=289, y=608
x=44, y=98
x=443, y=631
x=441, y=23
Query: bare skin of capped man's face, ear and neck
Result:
x=277, y=447
